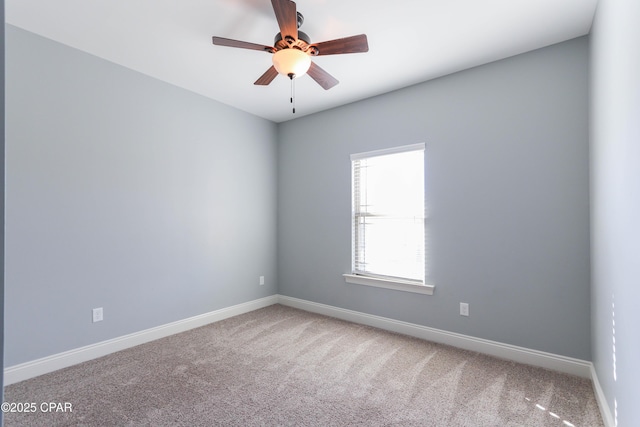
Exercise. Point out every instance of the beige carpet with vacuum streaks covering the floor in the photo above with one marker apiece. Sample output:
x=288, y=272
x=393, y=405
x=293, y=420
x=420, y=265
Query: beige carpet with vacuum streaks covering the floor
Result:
x=284, y=367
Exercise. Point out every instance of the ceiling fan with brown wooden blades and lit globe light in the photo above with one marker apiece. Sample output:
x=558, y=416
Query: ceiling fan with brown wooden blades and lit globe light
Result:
x=292, y=50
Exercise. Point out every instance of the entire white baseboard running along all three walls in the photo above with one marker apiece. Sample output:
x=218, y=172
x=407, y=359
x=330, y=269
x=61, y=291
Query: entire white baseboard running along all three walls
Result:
x=24, y=371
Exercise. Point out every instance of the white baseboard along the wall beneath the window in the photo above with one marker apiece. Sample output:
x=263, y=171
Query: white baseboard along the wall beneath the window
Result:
x=541, y=359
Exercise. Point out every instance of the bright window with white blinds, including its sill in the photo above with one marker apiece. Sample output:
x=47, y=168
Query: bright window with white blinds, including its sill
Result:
x=388, y=219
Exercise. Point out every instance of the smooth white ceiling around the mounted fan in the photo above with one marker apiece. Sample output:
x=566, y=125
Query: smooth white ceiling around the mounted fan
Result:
x=410, y=41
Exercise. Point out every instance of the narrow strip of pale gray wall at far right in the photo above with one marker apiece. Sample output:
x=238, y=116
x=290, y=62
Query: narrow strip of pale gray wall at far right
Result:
x=615, y=178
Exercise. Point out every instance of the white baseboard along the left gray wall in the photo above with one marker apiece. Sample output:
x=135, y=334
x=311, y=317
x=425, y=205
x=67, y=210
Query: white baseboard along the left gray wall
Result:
x=24, y=371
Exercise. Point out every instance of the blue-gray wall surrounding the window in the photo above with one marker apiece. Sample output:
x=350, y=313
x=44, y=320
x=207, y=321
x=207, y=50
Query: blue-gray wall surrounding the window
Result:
x=507, y=198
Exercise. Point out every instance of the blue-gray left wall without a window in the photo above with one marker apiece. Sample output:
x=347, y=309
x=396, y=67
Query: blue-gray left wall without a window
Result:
x=126, y=193
